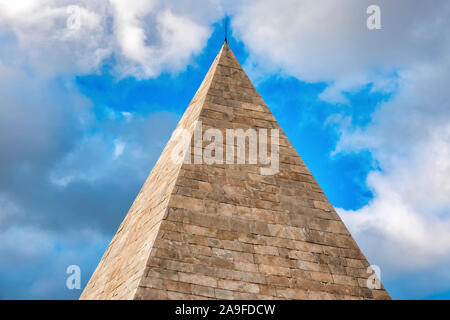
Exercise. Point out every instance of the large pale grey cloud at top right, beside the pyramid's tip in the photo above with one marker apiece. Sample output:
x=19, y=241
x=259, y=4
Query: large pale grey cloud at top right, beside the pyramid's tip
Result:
x=330, y=42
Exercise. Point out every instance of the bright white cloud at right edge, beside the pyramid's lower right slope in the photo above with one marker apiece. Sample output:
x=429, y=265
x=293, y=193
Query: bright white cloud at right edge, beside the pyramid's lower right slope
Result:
x=410, y=137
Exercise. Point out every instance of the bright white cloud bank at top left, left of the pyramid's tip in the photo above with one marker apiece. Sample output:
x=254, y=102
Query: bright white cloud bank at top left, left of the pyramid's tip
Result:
x=145, y=37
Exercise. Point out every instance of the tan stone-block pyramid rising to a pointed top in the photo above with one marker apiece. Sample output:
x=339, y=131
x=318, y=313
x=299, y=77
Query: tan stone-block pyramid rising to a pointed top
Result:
x=211, y=223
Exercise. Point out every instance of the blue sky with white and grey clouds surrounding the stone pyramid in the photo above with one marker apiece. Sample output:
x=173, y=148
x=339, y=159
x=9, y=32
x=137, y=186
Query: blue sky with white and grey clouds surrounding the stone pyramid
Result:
x=90, y=92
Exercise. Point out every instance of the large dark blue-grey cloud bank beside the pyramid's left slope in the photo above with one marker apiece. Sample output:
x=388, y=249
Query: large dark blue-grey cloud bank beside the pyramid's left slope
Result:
x=58, y=164
